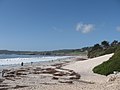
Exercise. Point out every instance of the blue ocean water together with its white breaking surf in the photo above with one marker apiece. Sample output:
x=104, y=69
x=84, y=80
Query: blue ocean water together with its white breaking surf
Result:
x=10, y=59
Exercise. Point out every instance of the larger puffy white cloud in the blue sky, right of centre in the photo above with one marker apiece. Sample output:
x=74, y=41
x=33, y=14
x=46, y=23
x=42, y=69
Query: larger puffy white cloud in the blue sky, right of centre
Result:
x=84, y=28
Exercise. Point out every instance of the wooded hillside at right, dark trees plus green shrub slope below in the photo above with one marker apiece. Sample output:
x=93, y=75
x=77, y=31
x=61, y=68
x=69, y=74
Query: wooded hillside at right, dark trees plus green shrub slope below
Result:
x=113, y=64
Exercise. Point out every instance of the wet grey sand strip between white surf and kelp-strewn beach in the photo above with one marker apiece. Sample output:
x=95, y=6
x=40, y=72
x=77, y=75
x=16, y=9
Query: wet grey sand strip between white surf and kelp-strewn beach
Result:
x=35, y=64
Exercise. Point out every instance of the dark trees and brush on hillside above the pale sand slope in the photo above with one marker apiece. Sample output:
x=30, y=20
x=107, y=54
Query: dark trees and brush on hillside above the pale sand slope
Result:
x=103, y=48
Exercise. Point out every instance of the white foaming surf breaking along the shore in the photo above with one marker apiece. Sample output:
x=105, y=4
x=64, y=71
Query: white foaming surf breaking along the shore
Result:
x=9, y=61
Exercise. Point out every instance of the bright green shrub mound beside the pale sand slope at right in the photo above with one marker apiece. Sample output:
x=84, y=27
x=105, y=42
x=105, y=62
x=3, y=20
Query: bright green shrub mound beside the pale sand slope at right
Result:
x=109, y=66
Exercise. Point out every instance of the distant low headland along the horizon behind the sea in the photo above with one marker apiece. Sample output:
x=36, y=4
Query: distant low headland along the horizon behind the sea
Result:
x=82, y=51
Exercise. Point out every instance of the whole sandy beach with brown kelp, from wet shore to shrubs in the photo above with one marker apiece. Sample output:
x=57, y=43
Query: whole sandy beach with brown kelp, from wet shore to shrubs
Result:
x=66, y=74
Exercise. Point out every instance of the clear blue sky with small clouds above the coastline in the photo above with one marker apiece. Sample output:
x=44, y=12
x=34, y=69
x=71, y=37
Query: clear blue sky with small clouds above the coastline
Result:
x=57, y=24
